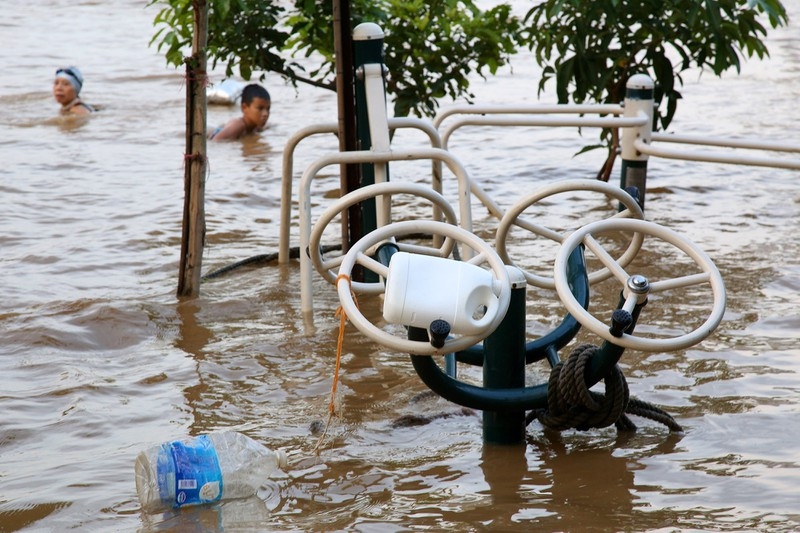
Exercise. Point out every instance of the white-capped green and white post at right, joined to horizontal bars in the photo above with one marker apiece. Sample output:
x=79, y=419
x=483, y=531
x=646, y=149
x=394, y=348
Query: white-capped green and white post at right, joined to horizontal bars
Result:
x=638, y=100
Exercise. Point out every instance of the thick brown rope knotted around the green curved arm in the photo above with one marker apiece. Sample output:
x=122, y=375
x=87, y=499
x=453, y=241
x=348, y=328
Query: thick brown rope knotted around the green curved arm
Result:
x=570, y=403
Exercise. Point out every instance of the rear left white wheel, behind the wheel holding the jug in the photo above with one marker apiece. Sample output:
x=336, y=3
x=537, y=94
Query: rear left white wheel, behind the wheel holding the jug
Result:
x=327, y=267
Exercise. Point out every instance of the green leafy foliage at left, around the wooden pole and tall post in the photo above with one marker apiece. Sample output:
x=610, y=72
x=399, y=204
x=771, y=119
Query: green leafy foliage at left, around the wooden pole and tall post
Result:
x=431, y=47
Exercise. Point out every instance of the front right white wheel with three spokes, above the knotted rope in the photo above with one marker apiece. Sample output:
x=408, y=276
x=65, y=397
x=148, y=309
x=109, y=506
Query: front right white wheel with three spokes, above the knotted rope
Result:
x=637, y=286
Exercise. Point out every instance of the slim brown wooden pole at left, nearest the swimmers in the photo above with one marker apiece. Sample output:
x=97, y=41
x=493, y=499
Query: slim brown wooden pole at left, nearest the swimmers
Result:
x=195, y=162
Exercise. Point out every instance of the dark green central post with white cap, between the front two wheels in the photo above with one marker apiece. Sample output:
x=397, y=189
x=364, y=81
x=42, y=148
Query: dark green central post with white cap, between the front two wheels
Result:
x=504, y=366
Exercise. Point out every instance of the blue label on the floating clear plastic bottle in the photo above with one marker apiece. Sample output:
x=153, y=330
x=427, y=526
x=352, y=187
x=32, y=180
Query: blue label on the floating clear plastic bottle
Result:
x=197, y=475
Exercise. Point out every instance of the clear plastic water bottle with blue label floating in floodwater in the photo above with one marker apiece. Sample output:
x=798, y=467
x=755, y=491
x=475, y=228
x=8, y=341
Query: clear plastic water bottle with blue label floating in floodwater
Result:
x=203, y=469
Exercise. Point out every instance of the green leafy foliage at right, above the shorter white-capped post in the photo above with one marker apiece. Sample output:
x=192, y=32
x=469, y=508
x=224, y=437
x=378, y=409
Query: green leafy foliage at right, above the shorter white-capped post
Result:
x=591, y=48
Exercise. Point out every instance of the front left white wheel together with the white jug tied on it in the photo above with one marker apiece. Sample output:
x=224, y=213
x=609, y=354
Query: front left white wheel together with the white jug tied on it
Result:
x=492, y=292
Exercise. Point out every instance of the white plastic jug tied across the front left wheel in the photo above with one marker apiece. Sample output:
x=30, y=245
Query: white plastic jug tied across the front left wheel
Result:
x=421, y=289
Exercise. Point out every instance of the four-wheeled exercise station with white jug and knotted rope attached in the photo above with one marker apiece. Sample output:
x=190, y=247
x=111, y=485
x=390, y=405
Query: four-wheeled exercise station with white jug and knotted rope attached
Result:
x=477, y=317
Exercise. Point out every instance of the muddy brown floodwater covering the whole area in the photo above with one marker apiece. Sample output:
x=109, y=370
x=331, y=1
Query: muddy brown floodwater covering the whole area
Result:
x=100, y=359
